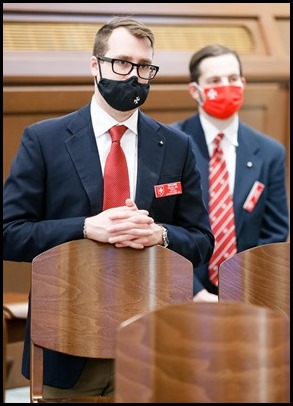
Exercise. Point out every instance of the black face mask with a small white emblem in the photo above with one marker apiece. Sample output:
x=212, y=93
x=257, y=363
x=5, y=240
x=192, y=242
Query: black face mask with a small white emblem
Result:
x=123, y=95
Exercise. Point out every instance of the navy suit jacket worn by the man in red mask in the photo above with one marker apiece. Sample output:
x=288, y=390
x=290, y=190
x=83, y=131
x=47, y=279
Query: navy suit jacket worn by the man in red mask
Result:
x=258, y=158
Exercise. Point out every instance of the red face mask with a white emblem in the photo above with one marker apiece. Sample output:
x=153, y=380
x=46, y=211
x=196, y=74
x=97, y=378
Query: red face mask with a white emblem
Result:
x=223, y=101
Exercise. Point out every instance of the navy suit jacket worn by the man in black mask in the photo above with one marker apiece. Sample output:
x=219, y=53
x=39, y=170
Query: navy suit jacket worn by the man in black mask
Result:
x=56, y=181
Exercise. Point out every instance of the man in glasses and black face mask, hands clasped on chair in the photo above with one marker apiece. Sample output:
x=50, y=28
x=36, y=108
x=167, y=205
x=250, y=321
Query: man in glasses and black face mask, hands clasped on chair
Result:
x=54, y=192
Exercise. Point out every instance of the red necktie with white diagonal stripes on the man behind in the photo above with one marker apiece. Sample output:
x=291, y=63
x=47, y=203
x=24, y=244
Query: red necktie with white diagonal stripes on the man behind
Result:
x=220, y=211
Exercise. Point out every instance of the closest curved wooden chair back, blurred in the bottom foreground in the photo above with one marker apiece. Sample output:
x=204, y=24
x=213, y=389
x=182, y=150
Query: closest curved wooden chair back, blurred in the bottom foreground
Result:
x=204, y=353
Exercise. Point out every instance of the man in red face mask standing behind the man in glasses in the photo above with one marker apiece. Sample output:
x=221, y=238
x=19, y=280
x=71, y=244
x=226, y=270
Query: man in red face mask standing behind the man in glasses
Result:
x=255, y=161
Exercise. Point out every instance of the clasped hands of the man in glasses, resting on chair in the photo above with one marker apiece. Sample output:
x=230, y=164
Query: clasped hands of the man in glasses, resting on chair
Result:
x=124, y=226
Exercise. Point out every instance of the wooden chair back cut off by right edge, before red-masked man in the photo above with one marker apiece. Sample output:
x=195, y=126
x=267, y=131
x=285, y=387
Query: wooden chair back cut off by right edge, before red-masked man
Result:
x=259, y=275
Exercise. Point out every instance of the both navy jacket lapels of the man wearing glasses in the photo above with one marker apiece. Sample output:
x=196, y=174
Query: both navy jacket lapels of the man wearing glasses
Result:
x=82, y=143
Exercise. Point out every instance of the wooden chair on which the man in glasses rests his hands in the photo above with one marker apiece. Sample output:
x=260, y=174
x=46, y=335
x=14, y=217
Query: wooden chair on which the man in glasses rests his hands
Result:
x=82, y=290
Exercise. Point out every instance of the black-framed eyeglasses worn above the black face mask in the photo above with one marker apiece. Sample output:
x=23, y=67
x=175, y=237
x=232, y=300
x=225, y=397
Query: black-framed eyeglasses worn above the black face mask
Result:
x=121, y=67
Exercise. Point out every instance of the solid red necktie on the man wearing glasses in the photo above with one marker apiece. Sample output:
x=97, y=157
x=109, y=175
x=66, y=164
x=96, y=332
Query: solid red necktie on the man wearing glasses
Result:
x=116, y=181
